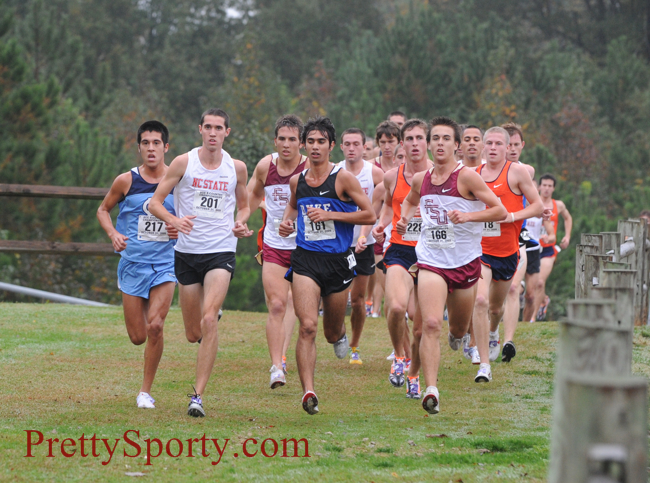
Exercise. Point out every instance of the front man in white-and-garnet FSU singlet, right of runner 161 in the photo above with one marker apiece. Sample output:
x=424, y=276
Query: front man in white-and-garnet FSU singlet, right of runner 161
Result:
x=452, y=200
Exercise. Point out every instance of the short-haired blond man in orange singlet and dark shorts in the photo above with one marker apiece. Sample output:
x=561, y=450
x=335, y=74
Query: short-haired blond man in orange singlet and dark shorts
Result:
x=500, y=243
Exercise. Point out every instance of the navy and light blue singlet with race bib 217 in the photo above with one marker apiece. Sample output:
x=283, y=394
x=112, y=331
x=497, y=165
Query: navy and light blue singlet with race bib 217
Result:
x=148, y=241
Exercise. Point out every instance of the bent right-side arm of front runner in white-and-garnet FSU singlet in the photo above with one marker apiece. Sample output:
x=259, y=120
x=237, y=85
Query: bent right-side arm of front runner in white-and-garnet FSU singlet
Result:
x=471, y=185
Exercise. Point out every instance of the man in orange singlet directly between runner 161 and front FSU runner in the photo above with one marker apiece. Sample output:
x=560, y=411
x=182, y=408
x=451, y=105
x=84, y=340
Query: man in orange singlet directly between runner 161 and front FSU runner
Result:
x=400, y=255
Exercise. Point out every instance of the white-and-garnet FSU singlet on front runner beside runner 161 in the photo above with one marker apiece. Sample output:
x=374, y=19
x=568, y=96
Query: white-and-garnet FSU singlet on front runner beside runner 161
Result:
x=443, y=244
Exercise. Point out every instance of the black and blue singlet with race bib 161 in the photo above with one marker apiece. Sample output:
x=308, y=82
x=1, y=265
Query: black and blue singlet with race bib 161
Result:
x=325, y=236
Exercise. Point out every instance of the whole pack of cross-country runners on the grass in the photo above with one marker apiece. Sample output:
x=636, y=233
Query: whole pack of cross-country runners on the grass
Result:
x=439, y=208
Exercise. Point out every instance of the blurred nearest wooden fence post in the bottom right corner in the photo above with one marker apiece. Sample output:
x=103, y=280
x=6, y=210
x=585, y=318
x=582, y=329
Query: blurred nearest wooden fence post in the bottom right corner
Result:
x=601, y=416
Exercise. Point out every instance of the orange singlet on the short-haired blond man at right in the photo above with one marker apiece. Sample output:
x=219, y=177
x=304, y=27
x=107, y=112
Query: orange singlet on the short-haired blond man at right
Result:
x=502, y=239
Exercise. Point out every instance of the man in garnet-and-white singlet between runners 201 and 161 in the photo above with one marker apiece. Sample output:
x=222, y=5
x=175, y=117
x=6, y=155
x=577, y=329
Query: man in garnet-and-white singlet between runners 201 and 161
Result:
x=270, y=182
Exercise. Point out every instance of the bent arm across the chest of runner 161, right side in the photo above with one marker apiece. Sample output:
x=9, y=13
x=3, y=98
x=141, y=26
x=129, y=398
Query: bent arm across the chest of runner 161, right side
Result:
x=347, y=185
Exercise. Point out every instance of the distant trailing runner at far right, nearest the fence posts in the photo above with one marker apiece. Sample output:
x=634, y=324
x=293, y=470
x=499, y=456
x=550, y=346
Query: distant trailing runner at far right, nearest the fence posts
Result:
x=549, y=251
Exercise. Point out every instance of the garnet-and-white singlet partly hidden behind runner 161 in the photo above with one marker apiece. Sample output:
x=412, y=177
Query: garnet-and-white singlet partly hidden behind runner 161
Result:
x=276, y=197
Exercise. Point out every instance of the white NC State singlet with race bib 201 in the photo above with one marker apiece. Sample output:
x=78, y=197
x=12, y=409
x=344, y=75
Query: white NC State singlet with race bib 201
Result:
x=210, y=195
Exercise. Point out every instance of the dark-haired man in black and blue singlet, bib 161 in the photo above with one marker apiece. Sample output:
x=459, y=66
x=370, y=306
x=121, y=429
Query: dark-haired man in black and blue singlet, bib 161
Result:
x=326, y=202
